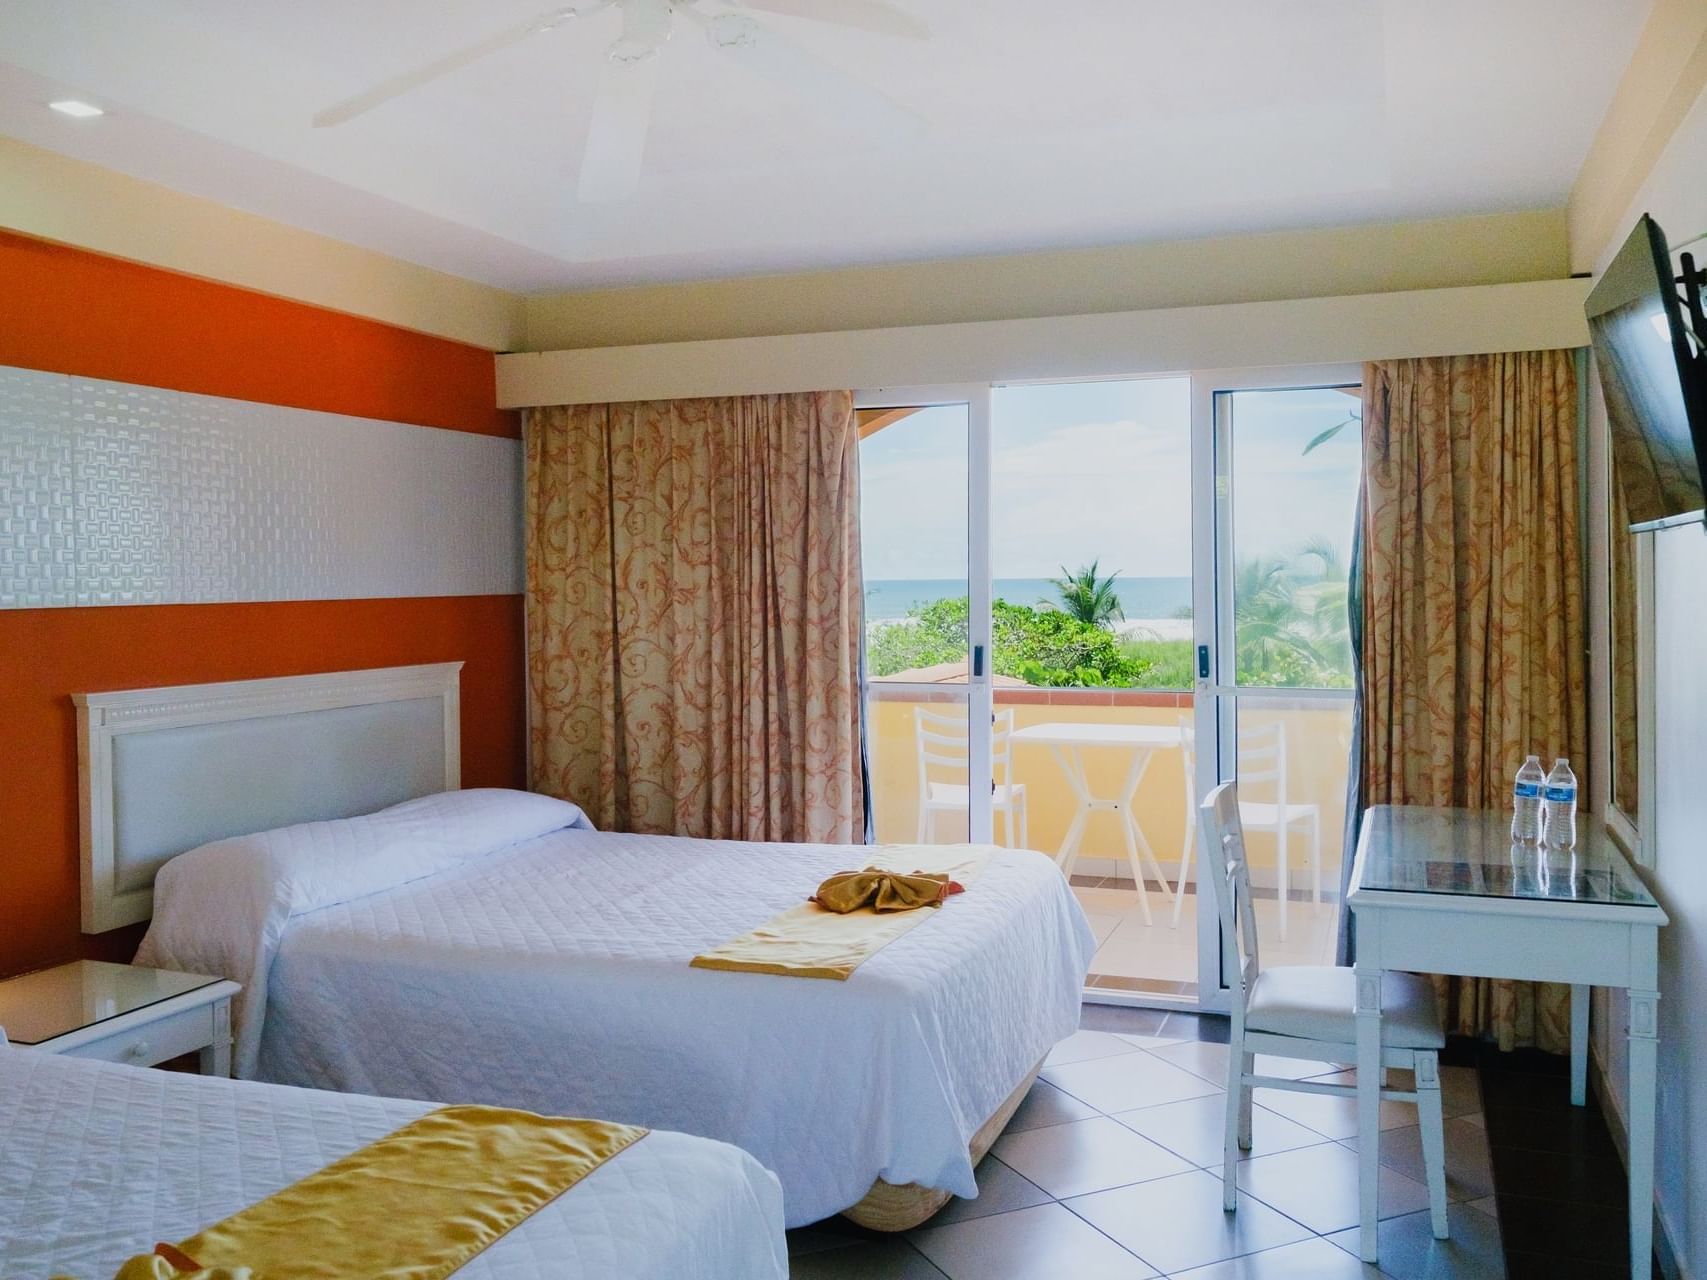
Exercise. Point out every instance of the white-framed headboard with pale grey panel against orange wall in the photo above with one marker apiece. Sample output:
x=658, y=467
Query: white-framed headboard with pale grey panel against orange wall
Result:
x=166, y=771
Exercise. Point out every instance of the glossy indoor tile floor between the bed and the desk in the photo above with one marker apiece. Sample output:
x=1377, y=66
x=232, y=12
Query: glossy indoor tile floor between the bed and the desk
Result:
x=1112, y=1170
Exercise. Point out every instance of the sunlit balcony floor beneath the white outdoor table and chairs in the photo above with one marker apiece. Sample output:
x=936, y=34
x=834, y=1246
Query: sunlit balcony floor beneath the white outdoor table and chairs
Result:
x=1158, y=957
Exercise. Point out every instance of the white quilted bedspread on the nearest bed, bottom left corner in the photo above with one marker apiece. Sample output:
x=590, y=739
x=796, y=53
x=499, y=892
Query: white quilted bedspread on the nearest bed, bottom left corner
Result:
x=102, y=1161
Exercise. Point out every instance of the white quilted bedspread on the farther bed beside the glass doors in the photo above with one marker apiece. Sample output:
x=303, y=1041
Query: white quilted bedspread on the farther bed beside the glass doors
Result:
x=554, y=975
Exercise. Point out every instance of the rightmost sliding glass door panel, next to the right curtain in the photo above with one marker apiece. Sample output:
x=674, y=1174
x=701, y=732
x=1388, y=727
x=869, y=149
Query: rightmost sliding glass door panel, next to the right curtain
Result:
x=1276, y=689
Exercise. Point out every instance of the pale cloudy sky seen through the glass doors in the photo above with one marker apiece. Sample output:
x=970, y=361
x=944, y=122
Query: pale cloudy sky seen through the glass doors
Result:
x=1104, y=472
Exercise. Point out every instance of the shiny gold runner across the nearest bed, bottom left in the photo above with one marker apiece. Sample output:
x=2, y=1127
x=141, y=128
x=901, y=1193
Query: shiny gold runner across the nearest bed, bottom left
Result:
x=414, y=1206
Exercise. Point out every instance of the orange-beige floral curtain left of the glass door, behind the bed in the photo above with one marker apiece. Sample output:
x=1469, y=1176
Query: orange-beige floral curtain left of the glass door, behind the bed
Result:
x=694, y=615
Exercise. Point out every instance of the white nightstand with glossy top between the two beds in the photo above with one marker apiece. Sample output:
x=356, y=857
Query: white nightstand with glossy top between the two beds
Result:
x=120, y=1013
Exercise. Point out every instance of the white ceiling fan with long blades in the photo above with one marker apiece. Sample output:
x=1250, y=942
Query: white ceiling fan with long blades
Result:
x=622, y=112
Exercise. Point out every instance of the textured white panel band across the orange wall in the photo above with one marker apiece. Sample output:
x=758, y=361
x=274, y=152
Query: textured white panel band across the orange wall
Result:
x=117, y=494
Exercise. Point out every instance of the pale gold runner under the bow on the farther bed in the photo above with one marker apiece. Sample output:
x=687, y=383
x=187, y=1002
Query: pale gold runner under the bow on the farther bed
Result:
x=808, y=941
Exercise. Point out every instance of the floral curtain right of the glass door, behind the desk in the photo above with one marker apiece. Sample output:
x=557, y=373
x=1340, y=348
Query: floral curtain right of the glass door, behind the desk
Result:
x=1472, y=610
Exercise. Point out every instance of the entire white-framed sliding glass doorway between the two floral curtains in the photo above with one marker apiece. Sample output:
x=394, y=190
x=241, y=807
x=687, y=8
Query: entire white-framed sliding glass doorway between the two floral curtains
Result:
x=1088, y=603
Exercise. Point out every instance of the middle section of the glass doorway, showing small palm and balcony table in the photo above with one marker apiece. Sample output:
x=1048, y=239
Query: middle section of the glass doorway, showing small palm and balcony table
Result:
x=1092, y=561
